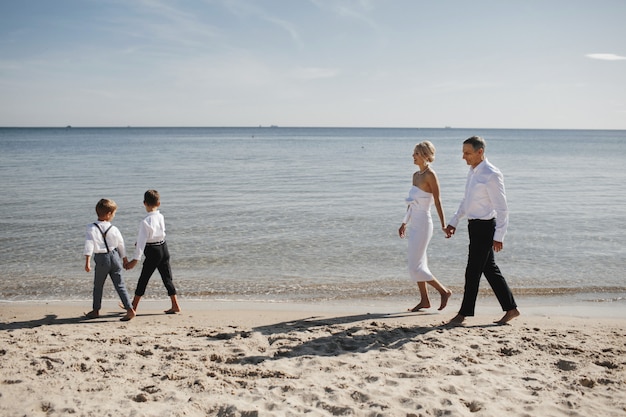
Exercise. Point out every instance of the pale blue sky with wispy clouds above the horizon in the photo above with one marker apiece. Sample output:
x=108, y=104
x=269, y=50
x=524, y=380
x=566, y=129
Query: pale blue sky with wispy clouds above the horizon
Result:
x=379, y=63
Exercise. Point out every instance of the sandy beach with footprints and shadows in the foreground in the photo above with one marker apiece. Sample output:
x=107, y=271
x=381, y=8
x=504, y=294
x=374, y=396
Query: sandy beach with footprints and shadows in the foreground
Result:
x=239, y=359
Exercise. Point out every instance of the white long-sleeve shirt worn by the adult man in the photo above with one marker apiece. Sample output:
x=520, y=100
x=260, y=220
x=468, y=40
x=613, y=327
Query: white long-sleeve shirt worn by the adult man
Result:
x=485, y=198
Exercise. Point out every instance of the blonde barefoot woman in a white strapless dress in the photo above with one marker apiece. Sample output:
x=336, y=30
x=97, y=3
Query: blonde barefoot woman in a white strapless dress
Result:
x=418, y=224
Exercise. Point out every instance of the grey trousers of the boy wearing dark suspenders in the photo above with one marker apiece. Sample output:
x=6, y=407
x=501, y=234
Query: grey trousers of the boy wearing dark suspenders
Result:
x=109, y=264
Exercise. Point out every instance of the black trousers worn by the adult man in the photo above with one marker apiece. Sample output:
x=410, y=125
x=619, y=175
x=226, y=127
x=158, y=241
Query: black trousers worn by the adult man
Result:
x=481, y=261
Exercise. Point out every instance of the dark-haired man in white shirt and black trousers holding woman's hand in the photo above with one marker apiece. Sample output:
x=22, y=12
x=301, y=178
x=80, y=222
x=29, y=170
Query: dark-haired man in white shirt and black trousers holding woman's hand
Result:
x=485, y=207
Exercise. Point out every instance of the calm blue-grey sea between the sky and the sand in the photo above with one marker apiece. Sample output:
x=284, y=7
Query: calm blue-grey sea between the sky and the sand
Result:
x=306, y=214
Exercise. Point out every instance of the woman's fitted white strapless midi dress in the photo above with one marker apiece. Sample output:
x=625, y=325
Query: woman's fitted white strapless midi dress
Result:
x=419, y=231
